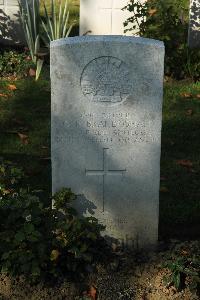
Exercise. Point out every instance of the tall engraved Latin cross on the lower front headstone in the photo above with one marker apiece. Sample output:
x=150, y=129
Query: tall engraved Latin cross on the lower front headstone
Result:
x=104, y=172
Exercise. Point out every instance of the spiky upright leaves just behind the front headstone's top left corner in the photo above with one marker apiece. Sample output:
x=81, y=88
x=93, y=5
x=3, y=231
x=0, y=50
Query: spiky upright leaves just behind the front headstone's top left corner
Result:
x=56, y=25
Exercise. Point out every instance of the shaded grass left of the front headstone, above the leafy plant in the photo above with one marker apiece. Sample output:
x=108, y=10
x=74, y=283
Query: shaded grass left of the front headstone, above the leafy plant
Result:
x=25, y=129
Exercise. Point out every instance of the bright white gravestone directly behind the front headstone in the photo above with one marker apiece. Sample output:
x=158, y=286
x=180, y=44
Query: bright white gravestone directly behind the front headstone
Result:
x=103, y=17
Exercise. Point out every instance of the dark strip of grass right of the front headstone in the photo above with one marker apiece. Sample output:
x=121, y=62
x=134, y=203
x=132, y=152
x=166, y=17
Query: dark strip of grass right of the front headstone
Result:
x=180, y=161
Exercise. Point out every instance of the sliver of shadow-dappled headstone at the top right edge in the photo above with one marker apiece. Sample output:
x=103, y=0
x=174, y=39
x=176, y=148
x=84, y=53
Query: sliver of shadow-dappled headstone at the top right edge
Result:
x=194, y=25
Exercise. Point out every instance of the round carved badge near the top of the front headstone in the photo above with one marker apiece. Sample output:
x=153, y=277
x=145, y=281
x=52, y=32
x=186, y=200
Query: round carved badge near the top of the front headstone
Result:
x=106, y=79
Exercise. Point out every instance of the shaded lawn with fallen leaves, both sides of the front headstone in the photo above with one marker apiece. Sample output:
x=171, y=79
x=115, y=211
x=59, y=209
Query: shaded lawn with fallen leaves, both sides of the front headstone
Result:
x=27, y=111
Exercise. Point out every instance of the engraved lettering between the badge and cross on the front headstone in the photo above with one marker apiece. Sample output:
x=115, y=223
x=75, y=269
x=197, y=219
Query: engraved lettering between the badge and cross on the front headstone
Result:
x=108, y=129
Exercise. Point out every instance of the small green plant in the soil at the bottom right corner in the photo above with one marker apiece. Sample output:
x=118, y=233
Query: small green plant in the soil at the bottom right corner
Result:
x=184, y=268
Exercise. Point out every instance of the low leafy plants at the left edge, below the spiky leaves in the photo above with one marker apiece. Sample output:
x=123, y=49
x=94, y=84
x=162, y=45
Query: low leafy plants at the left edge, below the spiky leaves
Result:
x=13, y=63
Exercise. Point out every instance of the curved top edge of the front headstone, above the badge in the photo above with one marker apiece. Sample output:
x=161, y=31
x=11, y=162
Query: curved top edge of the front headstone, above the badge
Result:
x=106, y=38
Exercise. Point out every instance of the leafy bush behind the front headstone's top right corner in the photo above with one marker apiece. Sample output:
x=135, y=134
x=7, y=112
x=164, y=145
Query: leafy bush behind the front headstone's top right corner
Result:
x=166, y=20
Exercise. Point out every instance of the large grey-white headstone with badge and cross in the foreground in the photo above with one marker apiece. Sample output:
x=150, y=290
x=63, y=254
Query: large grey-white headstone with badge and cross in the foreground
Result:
x=106, y=131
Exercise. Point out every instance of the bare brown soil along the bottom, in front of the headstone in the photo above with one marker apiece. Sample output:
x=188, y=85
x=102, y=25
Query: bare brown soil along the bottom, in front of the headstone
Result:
x=137, y=276
